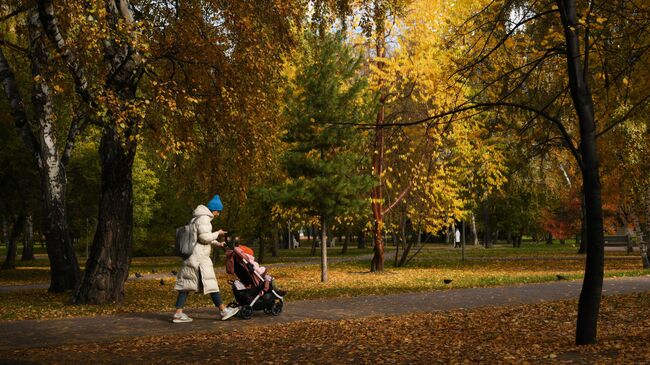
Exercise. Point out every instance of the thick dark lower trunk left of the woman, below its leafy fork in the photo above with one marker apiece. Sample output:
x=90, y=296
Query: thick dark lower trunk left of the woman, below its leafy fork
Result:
x=110, y=255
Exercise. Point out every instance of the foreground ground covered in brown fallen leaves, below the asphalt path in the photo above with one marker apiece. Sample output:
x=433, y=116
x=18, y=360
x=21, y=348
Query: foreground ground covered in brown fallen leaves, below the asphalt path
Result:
x=534, y=334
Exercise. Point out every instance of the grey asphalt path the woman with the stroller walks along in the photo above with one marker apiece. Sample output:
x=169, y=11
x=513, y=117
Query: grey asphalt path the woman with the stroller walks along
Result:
x=102, y=329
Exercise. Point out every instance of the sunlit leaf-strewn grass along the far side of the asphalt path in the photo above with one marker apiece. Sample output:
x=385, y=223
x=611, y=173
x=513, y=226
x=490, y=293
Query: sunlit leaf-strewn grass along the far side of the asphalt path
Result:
x=303, y=282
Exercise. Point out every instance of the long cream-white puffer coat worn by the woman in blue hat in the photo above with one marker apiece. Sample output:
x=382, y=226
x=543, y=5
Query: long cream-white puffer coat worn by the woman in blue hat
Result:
x=199, y=261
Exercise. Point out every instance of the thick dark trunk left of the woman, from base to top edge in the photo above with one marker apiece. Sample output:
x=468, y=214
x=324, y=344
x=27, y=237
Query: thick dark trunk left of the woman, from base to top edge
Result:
x=108, y=265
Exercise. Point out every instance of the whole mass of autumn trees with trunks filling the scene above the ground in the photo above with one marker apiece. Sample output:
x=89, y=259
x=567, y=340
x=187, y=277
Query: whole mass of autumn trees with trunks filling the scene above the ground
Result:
x=525, y=118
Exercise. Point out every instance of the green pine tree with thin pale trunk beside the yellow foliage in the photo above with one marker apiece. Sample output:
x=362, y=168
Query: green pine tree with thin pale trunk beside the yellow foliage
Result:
x=324, y=160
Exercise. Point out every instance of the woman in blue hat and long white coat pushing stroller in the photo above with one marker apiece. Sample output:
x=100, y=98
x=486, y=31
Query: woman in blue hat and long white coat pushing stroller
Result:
x=197, y=273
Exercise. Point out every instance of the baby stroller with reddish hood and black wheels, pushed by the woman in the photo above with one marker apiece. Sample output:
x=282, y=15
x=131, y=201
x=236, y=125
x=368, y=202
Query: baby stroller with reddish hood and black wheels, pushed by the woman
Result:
x=252, y=292
